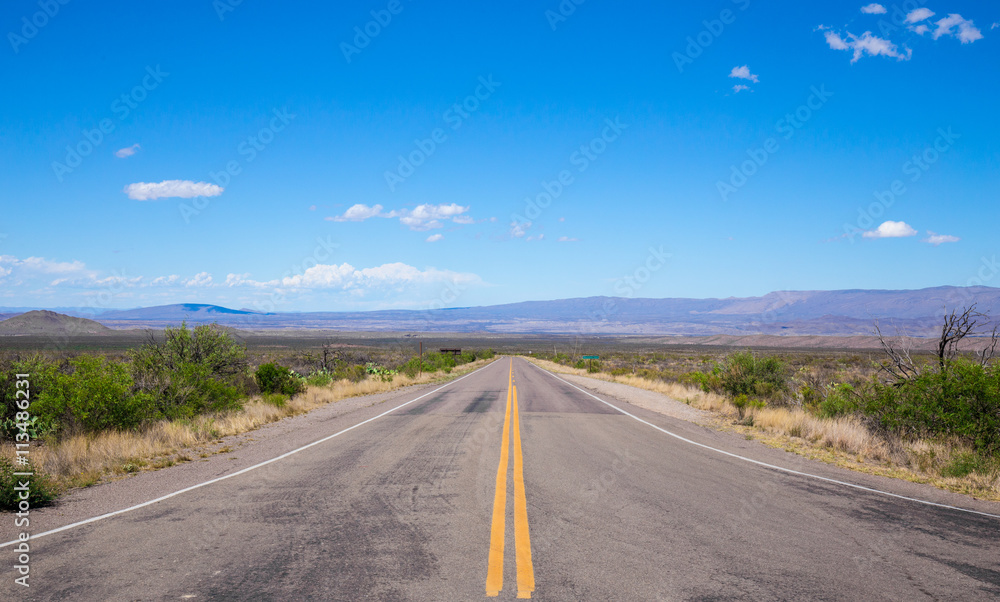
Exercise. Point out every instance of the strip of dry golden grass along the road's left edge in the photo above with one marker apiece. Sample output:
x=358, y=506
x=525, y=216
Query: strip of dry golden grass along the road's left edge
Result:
x=83, y=460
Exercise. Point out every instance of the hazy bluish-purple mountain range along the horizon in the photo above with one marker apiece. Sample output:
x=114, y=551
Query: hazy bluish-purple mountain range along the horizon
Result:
x=841, y=313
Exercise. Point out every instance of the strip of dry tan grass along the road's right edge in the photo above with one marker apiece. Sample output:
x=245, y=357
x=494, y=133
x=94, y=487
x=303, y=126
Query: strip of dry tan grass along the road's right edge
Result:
x=843, y=441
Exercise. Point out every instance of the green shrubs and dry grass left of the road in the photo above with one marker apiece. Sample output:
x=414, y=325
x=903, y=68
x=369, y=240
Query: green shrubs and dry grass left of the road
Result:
x=94, y=415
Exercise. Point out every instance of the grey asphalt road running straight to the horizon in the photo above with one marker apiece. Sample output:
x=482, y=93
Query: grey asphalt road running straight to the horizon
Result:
x=406, y=507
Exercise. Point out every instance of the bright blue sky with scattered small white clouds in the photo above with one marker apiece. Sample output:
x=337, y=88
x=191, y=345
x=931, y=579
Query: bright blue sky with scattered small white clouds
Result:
x=460, y=154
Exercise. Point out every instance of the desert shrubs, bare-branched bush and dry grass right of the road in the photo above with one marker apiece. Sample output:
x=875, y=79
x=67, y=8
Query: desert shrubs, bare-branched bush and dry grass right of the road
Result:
x=931, y=417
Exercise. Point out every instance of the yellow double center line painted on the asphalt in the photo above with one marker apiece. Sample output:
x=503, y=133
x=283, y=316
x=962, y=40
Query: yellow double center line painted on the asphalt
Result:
x=522, y=539
